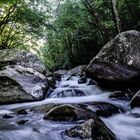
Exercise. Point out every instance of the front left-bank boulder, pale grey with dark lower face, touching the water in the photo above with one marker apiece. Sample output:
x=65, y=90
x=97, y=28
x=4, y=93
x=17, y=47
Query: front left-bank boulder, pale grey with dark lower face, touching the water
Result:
x=20, y=84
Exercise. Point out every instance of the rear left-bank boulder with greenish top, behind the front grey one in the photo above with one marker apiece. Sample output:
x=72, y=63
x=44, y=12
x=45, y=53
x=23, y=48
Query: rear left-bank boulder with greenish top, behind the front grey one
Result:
x=22, y=58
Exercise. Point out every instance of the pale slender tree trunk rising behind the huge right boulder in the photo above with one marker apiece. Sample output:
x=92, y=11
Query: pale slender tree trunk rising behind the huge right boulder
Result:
x=116, y=15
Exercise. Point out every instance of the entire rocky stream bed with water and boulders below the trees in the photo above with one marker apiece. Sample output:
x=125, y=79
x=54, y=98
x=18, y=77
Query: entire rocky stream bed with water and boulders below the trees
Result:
x=96, y=102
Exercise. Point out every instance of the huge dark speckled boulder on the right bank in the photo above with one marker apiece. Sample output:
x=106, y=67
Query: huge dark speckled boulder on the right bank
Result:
x=117, y=65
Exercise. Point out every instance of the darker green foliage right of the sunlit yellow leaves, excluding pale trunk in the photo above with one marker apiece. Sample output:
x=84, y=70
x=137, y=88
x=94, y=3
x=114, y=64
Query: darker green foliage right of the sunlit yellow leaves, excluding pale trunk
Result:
x=83, y=27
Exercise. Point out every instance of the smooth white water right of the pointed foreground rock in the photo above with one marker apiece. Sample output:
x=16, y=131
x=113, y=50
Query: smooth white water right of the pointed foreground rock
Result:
x=126, y=126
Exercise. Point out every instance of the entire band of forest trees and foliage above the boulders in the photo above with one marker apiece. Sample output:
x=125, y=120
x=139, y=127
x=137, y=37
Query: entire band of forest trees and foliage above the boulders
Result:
x=73, y=30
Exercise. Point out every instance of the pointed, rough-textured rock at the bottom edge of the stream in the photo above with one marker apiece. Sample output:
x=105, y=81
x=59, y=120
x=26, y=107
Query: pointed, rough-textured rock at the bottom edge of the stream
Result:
x=92, y=129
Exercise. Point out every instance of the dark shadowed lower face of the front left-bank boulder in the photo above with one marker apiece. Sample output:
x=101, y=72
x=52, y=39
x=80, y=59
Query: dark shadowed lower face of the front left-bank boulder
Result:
x=12, y=92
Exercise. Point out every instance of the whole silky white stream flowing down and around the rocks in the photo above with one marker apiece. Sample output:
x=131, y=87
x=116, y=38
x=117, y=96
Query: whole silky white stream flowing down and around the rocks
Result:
x=126, y=126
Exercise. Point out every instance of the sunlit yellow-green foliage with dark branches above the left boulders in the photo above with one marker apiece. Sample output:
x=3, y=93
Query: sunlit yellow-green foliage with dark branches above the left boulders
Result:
x=22, y=23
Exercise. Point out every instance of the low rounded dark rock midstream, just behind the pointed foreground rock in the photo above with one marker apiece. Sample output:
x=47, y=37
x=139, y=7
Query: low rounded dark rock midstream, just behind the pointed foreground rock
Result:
x=68, y=113
